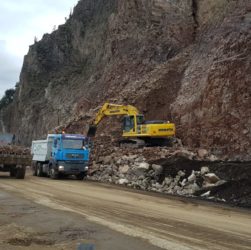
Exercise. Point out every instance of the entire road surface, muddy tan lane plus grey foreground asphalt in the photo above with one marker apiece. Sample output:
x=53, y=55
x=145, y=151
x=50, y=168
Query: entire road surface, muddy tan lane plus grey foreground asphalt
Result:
x=114, y=218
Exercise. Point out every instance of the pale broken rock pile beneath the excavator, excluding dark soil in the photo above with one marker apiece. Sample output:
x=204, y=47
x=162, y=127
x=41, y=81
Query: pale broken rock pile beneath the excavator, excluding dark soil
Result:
x=135, y=168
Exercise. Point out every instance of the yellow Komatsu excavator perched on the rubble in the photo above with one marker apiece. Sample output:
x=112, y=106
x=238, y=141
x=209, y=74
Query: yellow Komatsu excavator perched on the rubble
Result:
x=135, y=129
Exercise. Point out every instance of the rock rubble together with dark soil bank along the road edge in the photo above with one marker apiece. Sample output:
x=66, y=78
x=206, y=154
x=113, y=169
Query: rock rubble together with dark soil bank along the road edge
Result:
x=175, y=171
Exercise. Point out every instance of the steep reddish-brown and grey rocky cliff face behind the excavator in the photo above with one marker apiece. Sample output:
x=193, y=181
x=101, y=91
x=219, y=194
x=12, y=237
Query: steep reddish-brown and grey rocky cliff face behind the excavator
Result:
x=184, y=60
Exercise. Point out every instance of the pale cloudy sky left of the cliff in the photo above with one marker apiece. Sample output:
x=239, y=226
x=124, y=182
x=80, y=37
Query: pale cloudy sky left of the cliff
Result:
x=20, y=22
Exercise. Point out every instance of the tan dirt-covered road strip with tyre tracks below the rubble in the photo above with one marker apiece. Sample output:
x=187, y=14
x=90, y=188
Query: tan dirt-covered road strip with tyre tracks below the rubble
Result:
x=162, y=222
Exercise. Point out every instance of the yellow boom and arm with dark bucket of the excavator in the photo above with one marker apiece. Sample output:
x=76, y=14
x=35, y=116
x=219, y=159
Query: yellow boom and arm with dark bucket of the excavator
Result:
x=109, y=109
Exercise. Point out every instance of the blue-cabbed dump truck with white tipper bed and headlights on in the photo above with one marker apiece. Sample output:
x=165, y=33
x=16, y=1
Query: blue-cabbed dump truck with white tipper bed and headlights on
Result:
x=60, y=155
